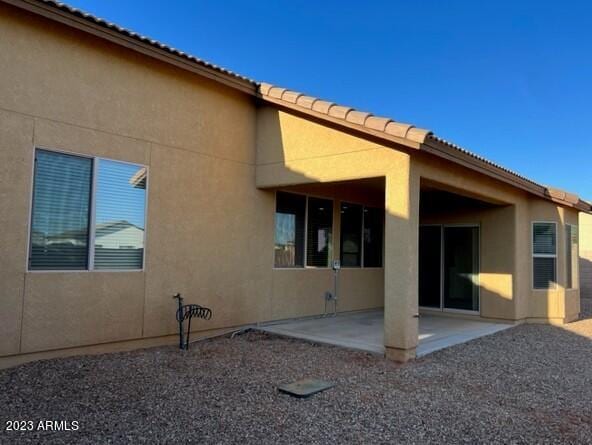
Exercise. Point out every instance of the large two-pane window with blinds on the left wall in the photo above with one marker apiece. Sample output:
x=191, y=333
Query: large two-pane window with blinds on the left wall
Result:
x=73, y=230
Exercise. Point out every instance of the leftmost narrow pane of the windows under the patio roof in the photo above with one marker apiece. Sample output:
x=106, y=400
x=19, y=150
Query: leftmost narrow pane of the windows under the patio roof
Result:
x=289, y=230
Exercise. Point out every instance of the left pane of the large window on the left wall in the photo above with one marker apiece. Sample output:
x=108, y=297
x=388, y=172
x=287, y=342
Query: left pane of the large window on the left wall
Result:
x=60, y=213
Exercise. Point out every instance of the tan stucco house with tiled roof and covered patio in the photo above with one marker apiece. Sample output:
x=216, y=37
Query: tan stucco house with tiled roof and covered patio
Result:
x=241, y=196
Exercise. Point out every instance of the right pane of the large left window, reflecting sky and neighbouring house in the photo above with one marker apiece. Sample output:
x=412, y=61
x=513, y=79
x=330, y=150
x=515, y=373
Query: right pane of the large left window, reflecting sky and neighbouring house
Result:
x=119, y=223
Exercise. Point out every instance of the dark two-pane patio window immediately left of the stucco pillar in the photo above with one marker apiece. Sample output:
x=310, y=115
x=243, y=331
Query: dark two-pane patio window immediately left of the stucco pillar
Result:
x=361, y=235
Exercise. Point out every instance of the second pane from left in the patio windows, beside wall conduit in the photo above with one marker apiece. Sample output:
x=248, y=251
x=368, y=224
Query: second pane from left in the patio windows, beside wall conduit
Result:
x=319, y=232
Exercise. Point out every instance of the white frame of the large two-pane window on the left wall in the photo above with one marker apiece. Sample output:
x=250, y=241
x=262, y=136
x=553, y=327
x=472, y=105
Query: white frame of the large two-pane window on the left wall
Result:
x=92, y=214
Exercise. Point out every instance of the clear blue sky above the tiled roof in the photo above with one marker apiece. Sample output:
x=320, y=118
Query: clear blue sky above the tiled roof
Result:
x=510, y=80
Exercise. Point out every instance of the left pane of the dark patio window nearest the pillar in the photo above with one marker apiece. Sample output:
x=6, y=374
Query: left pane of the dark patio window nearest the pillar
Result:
x=351, y=235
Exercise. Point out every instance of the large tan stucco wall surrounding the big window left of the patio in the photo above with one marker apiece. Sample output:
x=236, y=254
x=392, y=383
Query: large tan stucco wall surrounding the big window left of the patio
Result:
x=63, y=90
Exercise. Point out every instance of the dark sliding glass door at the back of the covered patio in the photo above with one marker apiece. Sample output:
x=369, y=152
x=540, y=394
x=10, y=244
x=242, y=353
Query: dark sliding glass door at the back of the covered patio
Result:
x=449, y=267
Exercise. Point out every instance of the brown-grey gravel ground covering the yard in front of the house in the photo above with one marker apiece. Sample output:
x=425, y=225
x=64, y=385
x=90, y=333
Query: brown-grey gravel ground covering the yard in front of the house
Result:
x=528, y=384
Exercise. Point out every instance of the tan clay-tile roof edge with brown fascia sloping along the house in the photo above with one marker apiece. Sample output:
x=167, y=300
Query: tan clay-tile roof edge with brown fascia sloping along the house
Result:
x=345, y=117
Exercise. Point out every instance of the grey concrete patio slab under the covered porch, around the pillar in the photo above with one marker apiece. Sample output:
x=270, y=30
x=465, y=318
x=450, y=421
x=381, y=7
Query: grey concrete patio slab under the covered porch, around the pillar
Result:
x=365, y=331
